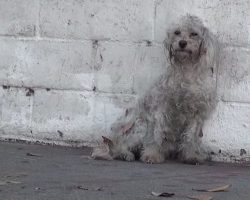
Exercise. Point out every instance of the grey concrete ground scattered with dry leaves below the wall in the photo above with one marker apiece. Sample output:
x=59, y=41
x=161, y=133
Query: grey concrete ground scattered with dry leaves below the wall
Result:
x=35, y=172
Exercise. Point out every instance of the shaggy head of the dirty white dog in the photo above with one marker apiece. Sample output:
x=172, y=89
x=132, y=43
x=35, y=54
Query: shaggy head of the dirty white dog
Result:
x=189, y=42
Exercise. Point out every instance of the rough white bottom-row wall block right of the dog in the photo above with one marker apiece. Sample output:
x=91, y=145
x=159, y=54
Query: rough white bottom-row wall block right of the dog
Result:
x=228, y=130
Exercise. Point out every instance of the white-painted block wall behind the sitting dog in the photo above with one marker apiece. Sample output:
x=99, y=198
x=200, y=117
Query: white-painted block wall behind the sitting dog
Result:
x=68, y=68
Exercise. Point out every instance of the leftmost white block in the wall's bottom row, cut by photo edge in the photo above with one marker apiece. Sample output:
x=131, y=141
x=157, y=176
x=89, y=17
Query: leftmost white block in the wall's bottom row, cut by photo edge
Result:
x=16, y=111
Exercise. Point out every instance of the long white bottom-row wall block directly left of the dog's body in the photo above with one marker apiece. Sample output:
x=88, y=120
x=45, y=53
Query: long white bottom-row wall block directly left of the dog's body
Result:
x=78, y=116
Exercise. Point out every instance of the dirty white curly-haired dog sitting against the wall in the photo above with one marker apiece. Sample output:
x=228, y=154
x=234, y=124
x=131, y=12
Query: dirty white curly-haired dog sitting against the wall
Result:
x=168, y=120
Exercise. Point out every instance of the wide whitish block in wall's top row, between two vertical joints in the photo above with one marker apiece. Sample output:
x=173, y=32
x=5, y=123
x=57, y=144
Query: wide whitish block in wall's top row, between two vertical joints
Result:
x=97, y=19
